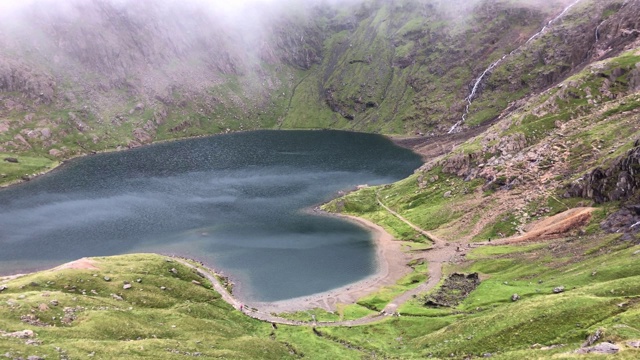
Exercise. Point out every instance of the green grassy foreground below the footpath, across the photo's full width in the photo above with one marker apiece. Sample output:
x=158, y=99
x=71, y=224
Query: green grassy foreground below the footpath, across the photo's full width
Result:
x=600, y=277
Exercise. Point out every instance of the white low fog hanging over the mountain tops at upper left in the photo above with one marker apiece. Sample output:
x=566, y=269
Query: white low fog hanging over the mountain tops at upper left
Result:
x=148, y=47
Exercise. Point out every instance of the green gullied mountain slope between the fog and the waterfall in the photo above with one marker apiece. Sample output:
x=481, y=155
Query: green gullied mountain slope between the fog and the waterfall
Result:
x=405, y=66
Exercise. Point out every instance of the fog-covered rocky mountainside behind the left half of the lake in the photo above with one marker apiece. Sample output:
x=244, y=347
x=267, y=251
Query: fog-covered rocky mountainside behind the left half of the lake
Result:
x=98, y=75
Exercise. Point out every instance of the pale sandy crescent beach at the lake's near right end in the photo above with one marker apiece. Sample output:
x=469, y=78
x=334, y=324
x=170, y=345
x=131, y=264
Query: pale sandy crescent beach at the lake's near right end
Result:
x=391, y=267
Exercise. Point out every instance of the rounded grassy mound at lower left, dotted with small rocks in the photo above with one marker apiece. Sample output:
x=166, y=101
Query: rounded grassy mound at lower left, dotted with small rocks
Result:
x=149, y=322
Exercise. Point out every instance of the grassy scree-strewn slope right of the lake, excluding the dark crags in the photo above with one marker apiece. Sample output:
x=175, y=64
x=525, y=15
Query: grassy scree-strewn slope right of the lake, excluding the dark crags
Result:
x=587, y=132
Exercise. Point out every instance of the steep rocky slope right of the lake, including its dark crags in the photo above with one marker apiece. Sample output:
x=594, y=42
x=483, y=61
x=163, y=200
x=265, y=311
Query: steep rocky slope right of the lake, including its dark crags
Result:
x=575, y=143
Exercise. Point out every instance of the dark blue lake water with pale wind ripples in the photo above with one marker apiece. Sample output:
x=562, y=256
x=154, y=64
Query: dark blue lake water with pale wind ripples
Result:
x=233, y=201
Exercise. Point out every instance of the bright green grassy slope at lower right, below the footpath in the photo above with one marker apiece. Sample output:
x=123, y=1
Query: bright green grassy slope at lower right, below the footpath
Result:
x=489, y=322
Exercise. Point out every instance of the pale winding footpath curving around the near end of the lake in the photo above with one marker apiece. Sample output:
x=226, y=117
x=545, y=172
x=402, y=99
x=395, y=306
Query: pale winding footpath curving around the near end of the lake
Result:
x=441, y=253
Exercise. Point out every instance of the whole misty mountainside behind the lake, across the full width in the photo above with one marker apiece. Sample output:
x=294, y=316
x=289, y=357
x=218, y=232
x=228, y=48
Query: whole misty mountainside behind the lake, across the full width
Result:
x=92, y=76
